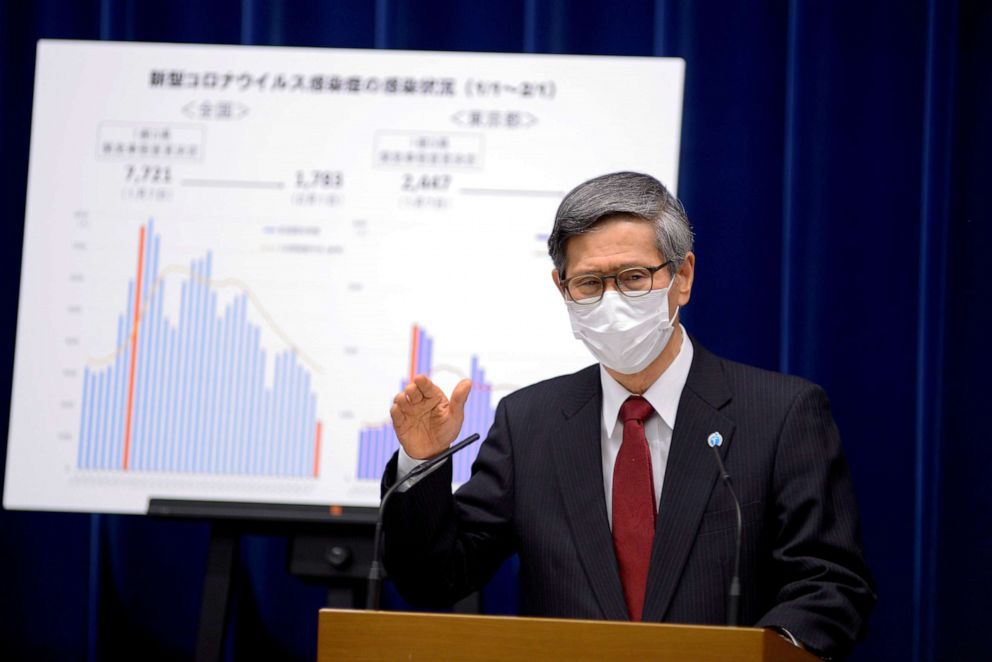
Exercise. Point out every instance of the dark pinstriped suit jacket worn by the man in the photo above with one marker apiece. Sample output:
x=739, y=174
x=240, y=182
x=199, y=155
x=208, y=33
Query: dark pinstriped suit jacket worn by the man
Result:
x=537, y=490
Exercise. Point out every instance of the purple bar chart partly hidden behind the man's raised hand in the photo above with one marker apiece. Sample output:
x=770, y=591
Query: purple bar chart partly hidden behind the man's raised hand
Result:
x=377, y=443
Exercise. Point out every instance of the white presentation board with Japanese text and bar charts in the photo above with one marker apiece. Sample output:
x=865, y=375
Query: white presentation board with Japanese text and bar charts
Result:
x=234, y=257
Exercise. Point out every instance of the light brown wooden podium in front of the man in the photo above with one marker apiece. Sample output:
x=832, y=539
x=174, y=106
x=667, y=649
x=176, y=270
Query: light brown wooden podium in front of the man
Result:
x=378, y=635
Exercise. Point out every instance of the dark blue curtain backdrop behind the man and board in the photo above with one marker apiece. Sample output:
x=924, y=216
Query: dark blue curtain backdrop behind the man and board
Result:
x=835, y=162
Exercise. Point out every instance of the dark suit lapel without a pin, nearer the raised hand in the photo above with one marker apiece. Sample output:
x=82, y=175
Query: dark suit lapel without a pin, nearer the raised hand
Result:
x=579, y=467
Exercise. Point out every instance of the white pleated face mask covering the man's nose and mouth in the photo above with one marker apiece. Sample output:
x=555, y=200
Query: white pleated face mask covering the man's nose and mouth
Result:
x=624, y=333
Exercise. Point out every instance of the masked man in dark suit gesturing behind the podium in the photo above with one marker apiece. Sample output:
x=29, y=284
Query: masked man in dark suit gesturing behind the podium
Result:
x=604, y=481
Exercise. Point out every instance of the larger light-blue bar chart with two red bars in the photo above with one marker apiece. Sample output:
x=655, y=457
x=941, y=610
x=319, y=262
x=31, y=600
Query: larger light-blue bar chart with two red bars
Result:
x=191, y=396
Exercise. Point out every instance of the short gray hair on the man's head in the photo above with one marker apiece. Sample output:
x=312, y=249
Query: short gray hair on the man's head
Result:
x=622, y=194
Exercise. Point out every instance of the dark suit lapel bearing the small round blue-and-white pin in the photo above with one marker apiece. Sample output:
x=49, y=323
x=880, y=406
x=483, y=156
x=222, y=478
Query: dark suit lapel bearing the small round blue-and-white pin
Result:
x=690, y=476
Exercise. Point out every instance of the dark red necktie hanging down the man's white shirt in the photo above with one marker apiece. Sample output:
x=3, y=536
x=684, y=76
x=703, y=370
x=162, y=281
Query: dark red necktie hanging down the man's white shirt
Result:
x=633, y=505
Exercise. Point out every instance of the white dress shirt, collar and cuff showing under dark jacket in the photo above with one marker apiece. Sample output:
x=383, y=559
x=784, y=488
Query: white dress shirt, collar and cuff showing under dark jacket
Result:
x=664, y=396
